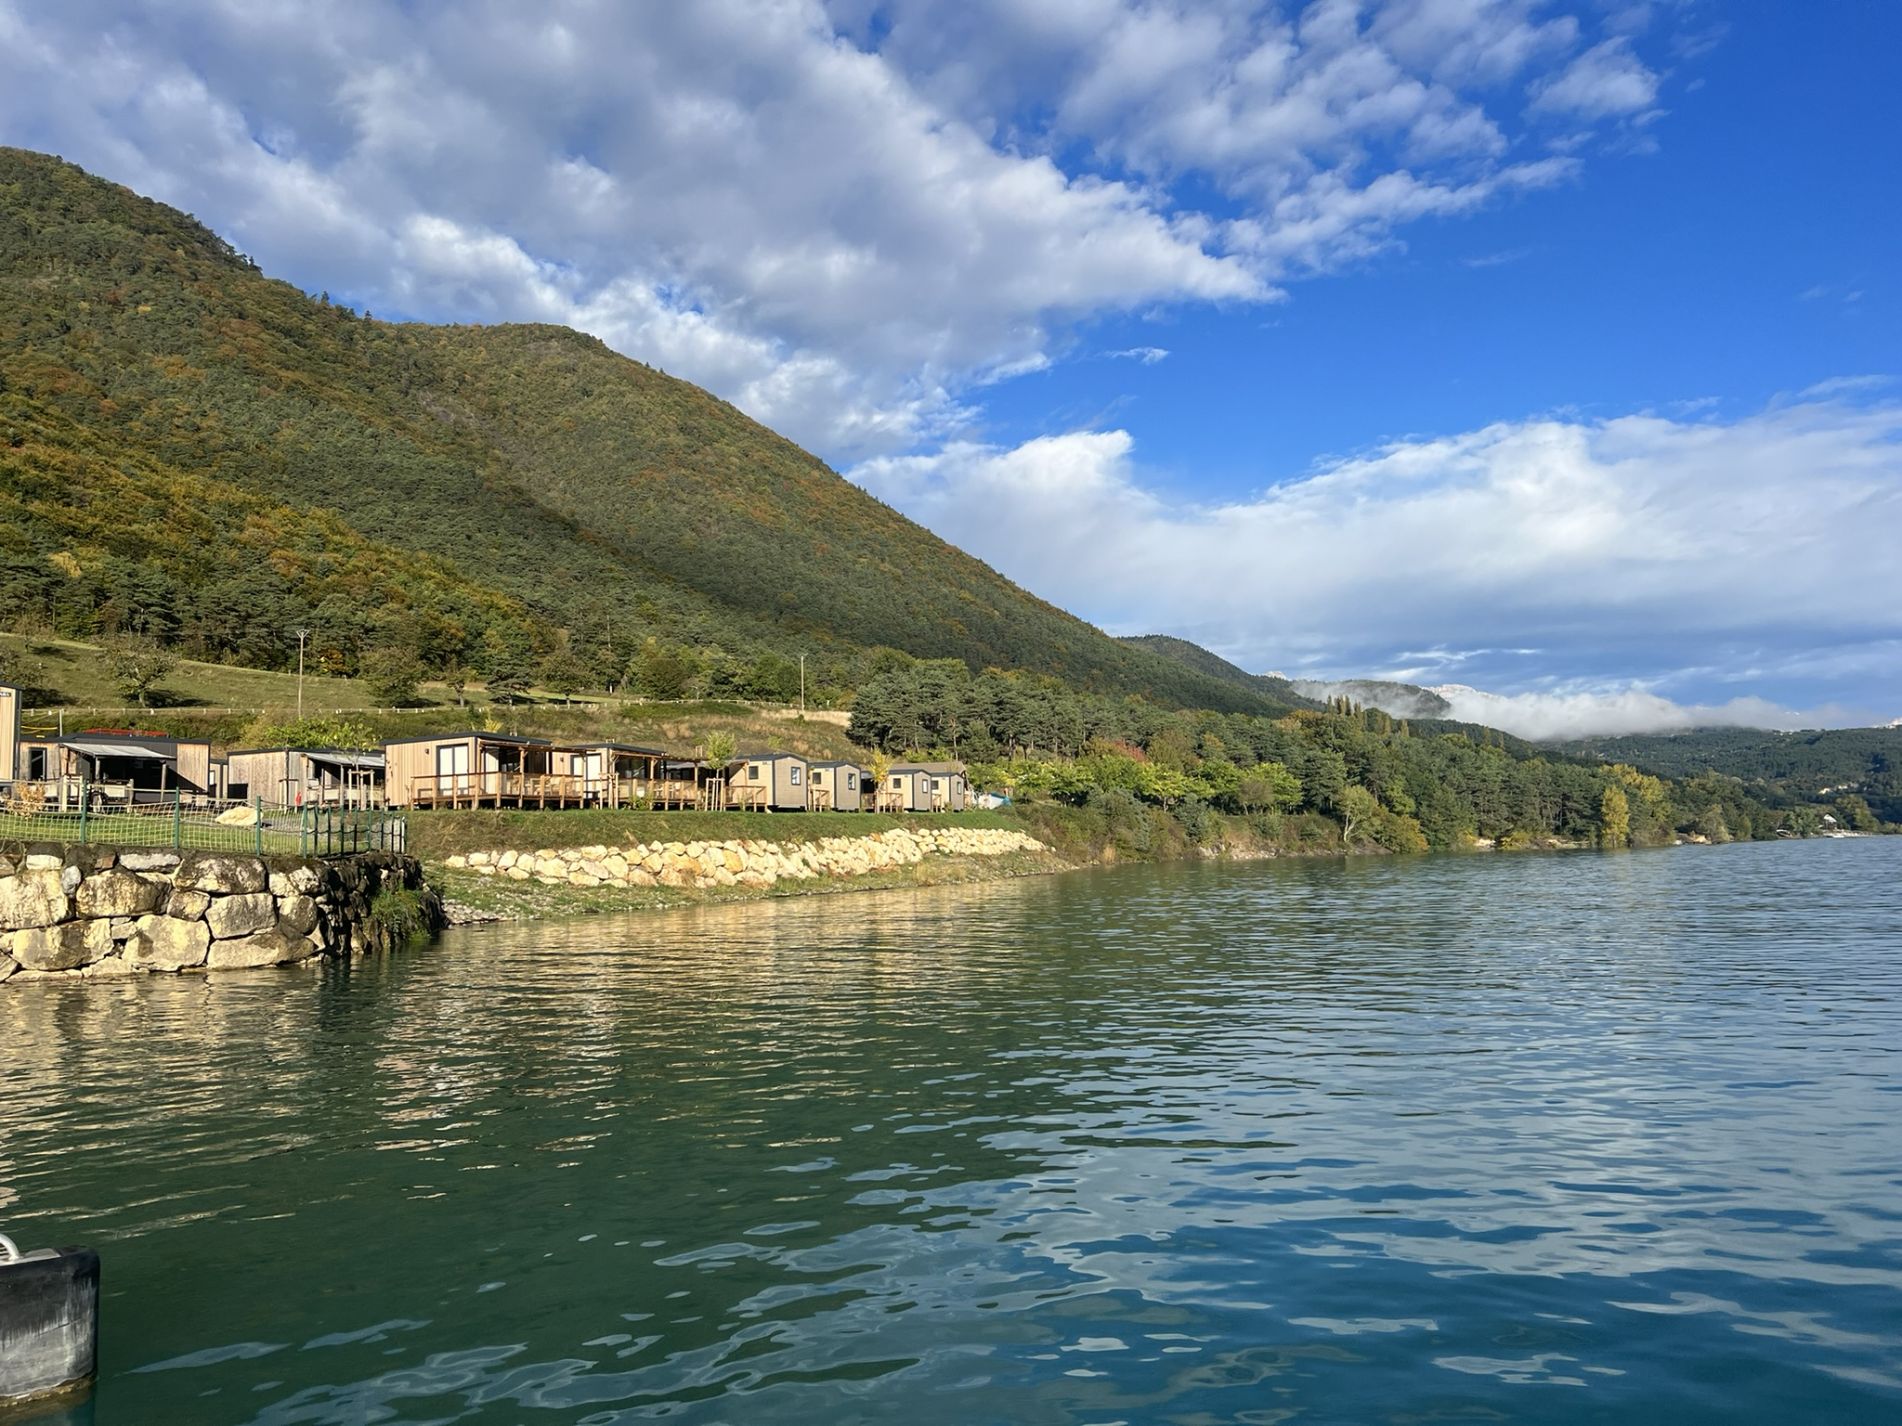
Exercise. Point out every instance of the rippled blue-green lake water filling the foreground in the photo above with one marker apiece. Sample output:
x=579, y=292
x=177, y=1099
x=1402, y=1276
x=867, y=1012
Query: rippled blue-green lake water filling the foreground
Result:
x=1450, y=1140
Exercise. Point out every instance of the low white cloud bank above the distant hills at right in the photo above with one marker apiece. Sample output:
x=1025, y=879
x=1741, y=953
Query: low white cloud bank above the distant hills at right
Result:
x=1764, y=547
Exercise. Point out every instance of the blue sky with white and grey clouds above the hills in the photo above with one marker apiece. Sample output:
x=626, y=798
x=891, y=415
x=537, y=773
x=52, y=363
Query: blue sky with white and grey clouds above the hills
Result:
x=1543, y=349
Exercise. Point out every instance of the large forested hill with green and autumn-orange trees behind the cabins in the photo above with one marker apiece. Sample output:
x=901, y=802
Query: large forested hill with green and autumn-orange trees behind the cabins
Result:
x=212, y=459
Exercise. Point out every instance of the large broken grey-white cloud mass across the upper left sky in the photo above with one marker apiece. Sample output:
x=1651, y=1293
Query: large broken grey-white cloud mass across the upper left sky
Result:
x=847, y=218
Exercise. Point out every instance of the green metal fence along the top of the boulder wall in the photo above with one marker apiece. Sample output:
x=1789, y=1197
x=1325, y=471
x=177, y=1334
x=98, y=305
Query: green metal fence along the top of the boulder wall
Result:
x=193, y=824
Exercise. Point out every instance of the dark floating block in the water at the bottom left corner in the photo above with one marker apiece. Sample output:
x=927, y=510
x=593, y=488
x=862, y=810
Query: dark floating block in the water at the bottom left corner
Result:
x=49, y=1320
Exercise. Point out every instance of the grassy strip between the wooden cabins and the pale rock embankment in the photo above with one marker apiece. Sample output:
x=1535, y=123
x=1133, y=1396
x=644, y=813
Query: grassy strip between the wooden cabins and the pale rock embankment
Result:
x=437, y=836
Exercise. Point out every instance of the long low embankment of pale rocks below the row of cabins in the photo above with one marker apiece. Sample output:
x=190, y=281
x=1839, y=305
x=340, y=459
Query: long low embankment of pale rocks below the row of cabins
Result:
x=745, y=862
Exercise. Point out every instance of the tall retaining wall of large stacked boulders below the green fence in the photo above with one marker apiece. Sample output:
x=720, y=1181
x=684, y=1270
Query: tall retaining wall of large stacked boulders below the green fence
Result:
x=107, y=912
